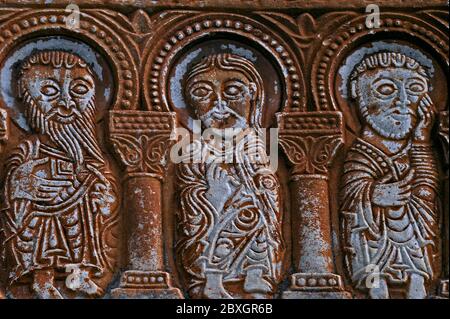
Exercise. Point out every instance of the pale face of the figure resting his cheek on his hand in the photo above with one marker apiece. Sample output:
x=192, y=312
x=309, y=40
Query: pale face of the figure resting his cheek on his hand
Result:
x=389, y=99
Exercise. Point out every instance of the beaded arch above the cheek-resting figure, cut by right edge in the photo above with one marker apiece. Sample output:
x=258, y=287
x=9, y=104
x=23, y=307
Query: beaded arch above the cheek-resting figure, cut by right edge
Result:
x=343, y=41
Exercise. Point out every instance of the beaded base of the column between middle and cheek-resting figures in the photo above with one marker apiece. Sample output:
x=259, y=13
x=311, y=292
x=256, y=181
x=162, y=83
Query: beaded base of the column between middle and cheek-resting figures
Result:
x=316, y=286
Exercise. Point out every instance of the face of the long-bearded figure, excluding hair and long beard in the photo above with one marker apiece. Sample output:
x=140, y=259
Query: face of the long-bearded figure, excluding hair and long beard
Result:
x=61, y=93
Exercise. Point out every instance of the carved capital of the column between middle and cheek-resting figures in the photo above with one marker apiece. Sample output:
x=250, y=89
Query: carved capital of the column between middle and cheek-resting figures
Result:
x=310, y=140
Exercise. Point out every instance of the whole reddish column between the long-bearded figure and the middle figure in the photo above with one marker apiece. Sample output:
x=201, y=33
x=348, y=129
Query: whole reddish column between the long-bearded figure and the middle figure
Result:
x=142, y=140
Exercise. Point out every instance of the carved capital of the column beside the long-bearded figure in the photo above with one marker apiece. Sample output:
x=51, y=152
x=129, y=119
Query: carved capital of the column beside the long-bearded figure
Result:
x=142, y=140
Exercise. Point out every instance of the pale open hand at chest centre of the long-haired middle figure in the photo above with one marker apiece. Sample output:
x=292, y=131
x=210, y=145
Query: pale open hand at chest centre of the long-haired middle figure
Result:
x=221, y=186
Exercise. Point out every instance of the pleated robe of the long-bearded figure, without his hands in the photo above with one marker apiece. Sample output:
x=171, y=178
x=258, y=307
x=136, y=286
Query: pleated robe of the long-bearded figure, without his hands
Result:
x=64, y=230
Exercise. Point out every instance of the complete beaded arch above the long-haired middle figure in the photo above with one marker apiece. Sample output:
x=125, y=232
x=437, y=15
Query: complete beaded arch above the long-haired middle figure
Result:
x=161, y=56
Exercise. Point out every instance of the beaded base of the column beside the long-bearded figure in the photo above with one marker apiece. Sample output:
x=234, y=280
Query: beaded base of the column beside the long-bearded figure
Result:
x=136, y=284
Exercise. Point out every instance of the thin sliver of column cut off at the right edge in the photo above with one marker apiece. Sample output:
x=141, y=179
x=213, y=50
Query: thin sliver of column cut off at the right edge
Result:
x=443, y=132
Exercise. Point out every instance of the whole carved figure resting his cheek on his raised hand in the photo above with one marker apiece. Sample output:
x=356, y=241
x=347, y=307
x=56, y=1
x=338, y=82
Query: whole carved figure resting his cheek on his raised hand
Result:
x=390, y=182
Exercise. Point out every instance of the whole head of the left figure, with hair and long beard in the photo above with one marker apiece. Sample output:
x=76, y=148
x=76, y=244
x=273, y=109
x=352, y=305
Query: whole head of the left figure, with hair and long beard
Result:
x=58, y=91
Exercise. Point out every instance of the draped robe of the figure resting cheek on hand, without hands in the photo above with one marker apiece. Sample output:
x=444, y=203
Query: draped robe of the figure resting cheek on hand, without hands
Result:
x=389, y=241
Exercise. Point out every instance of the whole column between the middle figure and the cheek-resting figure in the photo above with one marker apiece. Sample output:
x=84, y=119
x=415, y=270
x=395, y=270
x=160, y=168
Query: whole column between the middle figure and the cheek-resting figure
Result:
x=310, y=141
